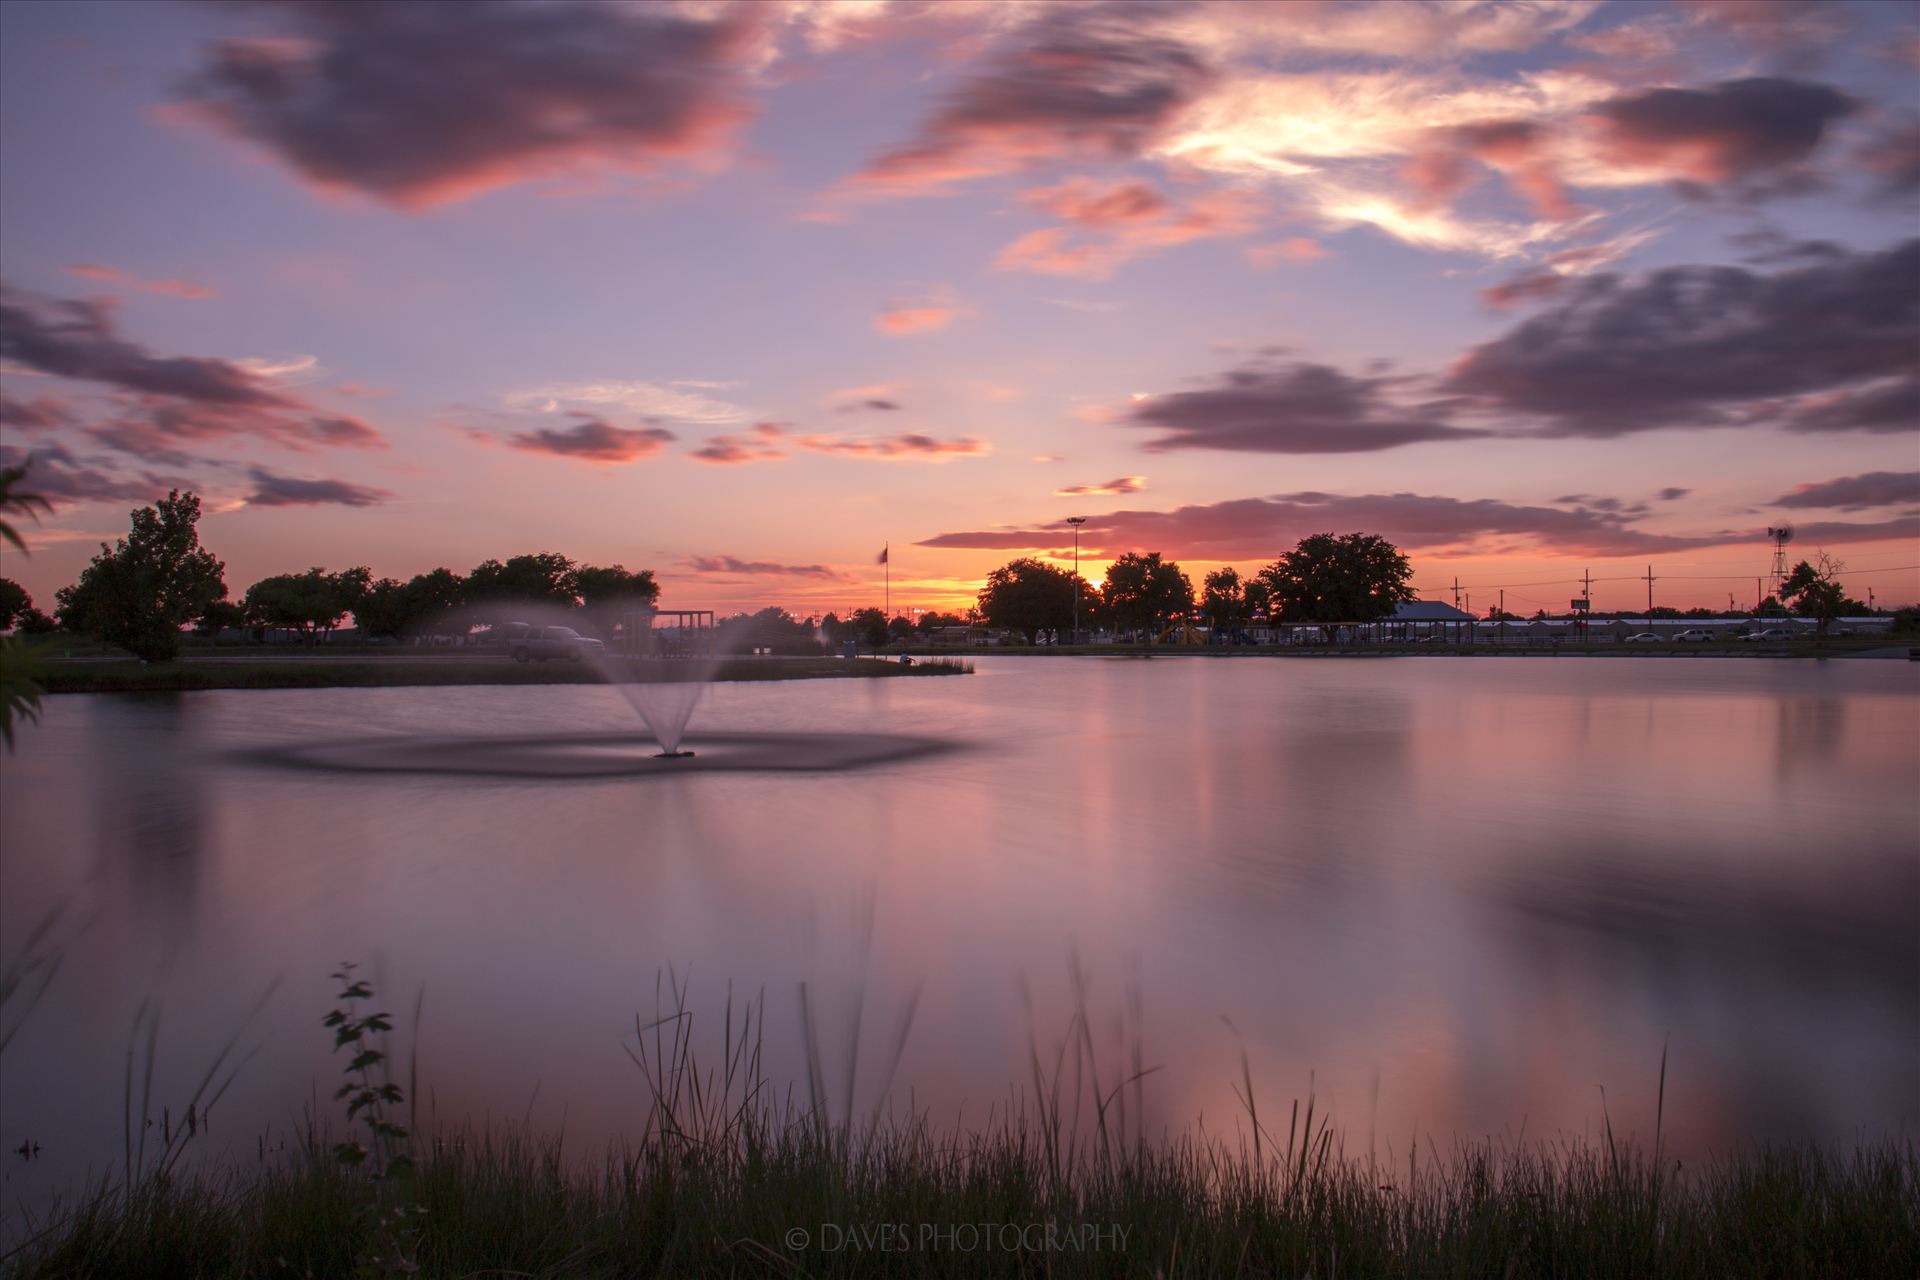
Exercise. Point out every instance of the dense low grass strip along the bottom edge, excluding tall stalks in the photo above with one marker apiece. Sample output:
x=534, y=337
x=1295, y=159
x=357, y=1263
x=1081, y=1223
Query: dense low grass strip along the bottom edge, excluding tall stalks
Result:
x=900, y=1206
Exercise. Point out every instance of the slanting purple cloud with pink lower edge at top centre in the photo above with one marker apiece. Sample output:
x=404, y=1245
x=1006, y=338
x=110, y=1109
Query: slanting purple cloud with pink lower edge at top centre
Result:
x=1084, y=83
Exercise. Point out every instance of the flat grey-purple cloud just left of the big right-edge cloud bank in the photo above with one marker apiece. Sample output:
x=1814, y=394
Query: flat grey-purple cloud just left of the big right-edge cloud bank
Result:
x=1289, y=410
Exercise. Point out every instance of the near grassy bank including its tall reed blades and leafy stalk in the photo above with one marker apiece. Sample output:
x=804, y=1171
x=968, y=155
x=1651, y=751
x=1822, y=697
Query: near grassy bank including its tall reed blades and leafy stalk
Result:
x=734, y=1177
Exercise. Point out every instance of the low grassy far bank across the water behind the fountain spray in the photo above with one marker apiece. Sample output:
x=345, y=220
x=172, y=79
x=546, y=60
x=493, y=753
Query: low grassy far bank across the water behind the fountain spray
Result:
x=297, y=673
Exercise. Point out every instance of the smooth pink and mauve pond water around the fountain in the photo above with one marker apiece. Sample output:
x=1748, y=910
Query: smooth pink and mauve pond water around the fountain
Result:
x=1456, y=895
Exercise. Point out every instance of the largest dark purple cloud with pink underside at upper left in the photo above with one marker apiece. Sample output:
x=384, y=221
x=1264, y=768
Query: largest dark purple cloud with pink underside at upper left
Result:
x=429, y=103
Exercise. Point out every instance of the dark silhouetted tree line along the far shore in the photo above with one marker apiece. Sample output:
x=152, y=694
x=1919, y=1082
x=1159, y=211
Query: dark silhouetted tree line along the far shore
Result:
x=143, y=590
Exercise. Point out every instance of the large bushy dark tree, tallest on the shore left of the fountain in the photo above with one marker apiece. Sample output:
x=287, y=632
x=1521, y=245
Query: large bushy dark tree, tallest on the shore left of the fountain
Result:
x=139, y=592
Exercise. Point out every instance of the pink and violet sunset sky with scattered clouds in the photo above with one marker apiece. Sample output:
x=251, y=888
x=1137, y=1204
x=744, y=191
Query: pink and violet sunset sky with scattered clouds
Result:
x=748, y=293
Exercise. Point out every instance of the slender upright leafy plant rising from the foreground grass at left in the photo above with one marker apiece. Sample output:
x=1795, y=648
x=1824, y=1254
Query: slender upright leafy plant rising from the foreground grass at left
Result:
x=373, y=1101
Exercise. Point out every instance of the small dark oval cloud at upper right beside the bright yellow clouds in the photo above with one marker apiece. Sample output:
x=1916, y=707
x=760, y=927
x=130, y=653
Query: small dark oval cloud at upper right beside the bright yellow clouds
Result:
x=1737, y=130
